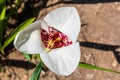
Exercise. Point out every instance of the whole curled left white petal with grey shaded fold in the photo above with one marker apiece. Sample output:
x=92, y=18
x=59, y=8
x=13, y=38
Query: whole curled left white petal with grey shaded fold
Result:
x=29, y=40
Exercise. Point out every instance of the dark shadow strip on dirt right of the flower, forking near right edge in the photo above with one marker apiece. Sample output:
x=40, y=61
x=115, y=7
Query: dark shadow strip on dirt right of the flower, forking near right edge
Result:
x=105, y=47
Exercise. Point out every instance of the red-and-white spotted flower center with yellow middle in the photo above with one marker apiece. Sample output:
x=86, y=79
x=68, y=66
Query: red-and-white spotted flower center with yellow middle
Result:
x=54, y=39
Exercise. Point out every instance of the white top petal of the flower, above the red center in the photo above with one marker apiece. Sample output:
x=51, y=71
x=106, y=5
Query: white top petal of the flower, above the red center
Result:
x=66, y=20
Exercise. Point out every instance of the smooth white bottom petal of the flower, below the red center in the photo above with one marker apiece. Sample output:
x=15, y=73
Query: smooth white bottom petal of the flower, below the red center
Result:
x=62, y=61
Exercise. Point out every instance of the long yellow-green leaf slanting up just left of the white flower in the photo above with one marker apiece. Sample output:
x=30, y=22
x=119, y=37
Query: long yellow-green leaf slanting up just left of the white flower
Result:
x=10, y=38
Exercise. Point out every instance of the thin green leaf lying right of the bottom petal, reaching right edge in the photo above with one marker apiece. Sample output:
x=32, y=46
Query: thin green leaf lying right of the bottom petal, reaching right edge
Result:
x=89, y=66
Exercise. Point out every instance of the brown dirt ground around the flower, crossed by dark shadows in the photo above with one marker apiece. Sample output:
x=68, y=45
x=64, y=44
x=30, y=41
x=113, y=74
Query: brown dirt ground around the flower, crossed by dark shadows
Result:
x=99, y=42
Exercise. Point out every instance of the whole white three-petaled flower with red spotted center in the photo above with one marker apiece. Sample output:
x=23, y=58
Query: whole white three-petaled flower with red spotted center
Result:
x=54, y=38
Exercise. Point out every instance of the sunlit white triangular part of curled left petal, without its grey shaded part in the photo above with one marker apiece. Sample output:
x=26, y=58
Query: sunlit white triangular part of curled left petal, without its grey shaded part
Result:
x=33, y=45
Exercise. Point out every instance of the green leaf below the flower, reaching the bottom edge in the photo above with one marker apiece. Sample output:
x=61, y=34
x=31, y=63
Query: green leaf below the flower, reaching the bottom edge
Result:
x=37, y=71
